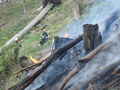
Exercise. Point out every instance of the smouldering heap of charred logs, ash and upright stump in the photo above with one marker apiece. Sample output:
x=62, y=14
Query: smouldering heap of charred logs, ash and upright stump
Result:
x=69, y=72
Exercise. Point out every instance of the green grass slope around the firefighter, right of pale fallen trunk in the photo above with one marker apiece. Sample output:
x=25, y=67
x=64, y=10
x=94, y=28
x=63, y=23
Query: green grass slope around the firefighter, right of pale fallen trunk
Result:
x=57, y=18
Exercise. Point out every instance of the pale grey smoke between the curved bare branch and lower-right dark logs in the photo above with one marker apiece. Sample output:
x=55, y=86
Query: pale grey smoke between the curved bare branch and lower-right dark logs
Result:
x=108, y=55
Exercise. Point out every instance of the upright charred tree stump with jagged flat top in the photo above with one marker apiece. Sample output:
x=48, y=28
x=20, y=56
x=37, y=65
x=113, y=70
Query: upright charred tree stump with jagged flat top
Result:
x=91, y=37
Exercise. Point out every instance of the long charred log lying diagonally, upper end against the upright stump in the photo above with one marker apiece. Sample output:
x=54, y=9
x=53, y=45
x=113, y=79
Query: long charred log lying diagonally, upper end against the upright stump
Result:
x=30, y=78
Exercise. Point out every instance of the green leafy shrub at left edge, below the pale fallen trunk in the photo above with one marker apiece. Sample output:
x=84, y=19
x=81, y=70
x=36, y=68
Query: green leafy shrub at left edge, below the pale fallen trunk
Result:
x=7, y=60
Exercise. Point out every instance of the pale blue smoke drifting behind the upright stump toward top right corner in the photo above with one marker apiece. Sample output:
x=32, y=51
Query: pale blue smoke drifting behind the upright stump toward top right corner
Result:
x=99, y=14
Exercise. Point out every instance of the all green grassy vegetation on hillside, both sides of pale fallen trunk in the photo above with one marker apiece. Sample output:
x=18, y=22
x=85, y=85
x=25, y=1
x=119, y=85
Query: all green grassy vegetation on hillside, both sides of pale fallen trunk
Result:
x=16, y=20
